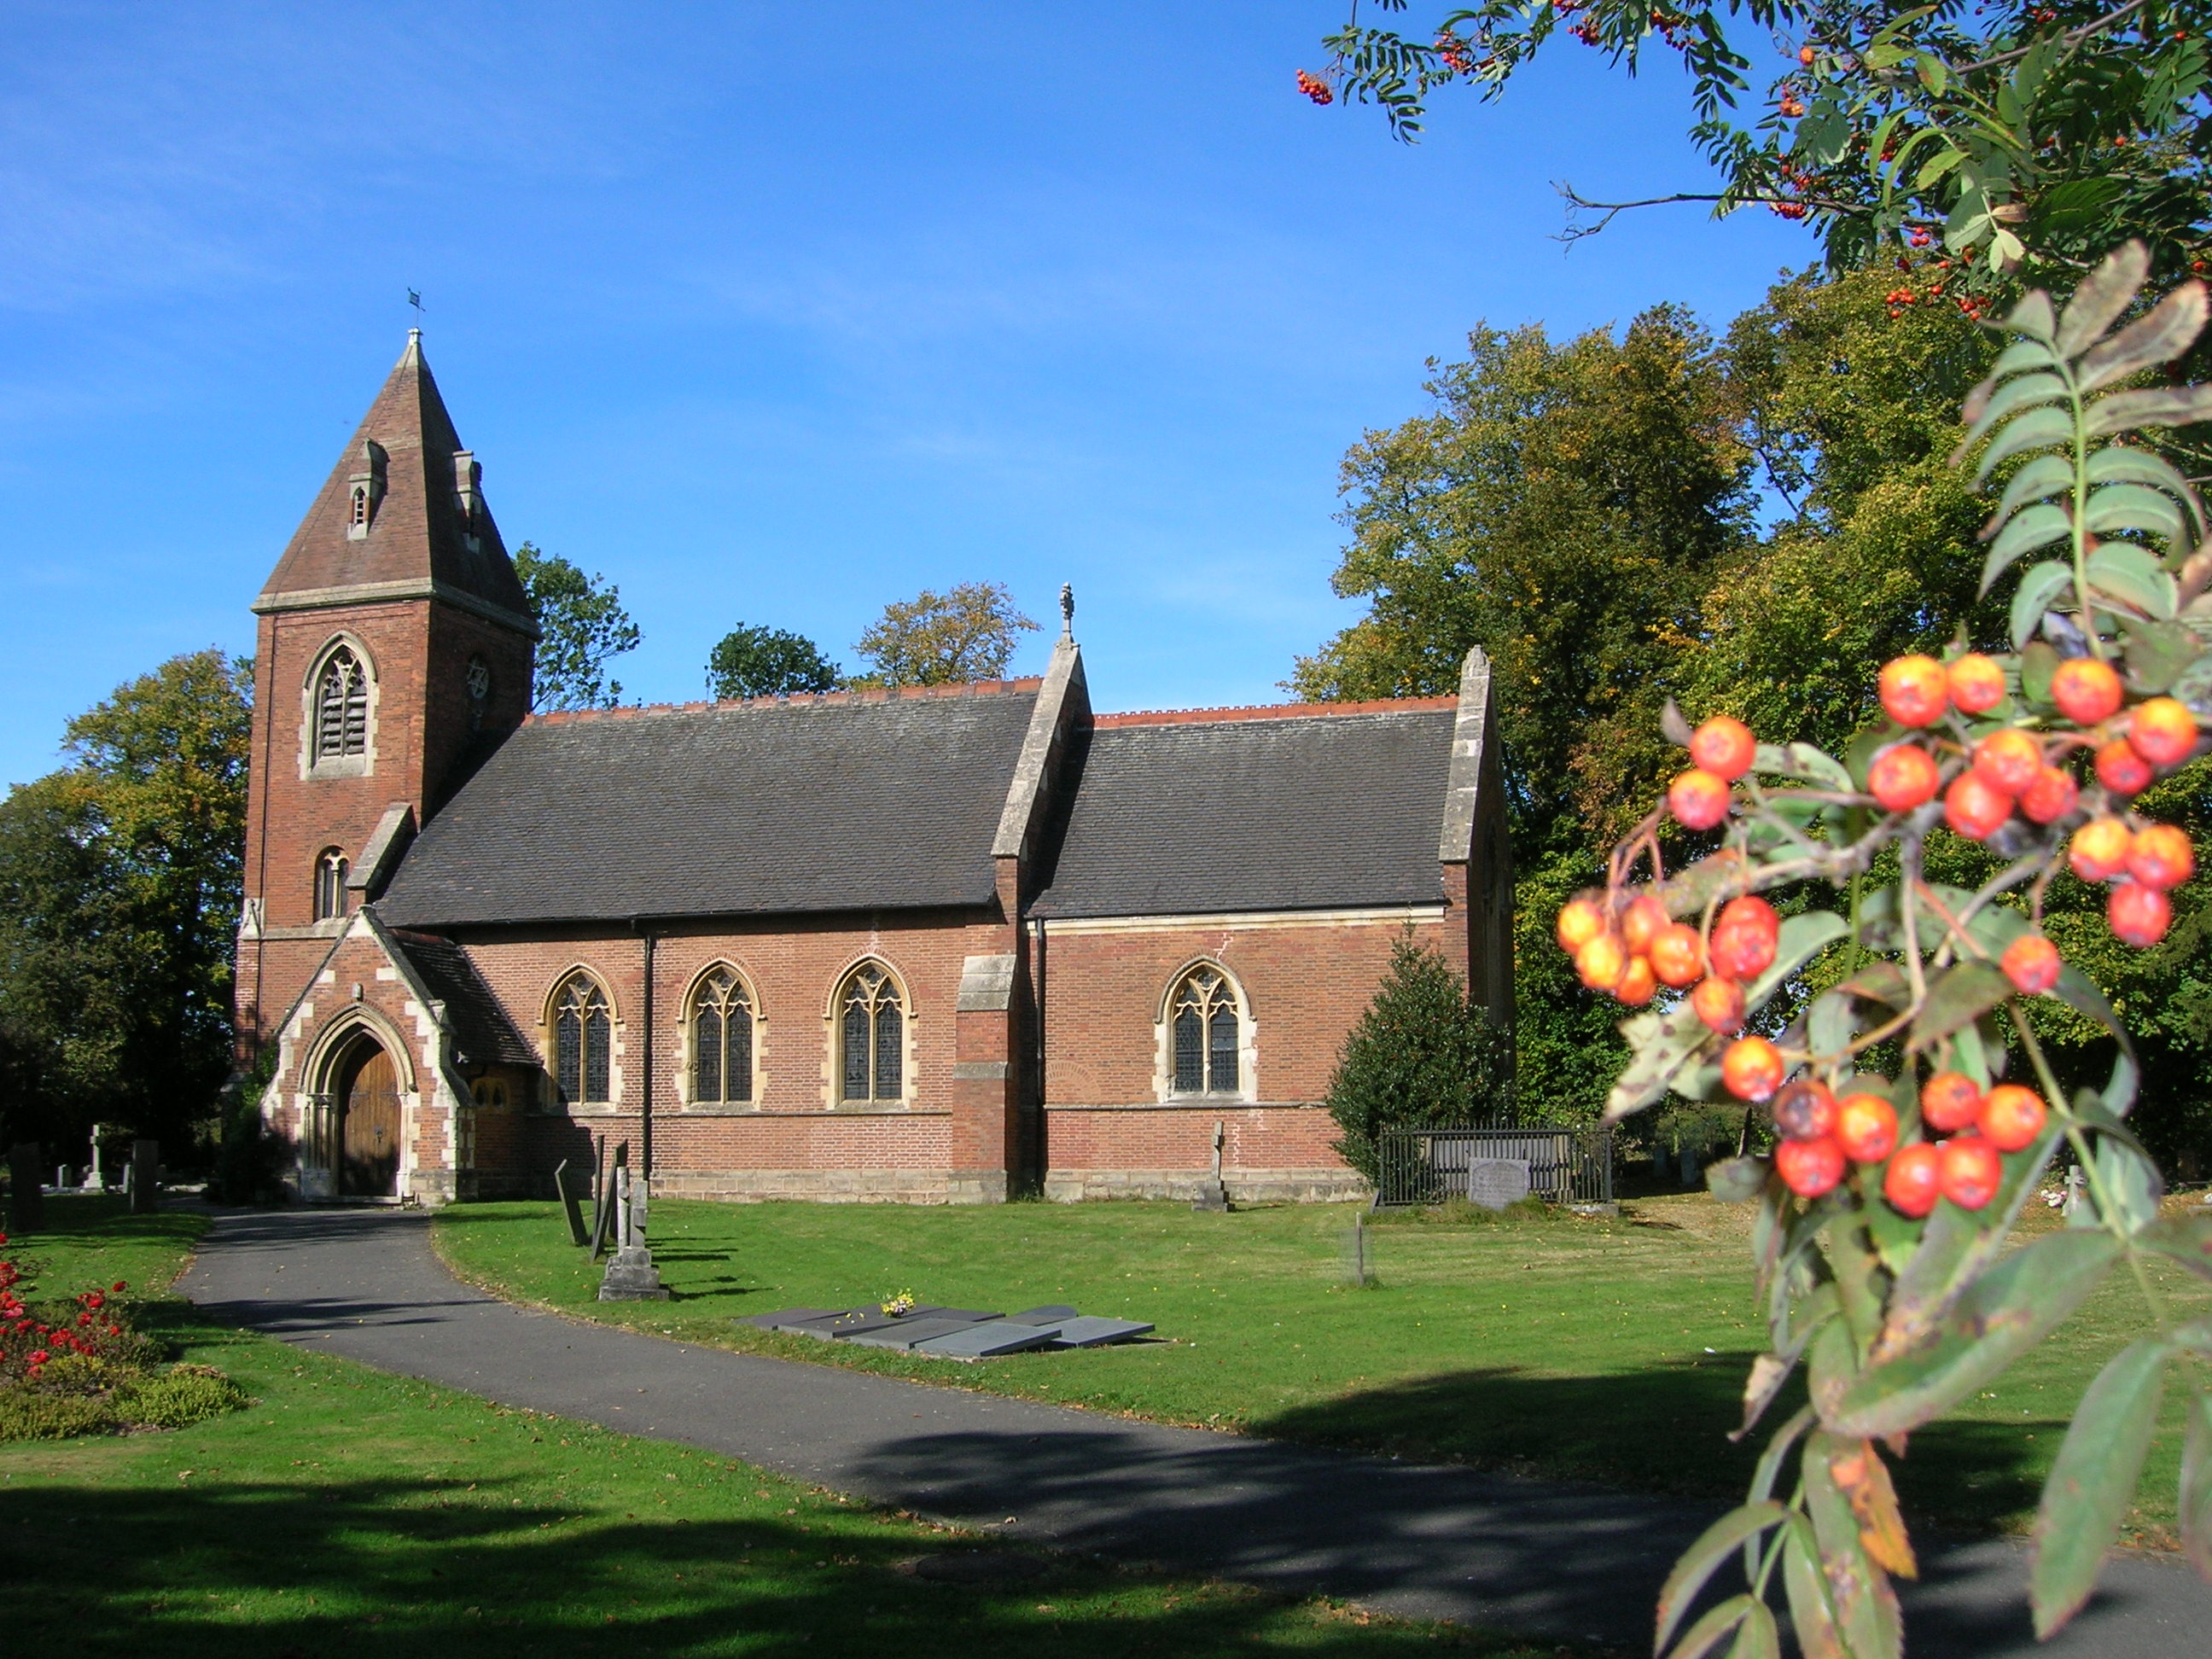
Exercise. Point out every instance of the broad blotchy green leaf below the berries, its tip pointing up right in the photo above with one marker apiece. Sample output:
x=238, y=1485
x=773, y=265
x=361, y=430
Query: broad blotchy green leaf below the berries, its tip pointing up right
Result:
x=1996, y=1319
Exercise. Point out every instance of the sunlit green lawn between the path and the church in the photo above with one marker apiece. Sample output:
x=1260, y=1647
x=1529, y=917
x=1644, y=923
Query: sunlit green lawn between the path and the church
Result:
x=1561, y=1346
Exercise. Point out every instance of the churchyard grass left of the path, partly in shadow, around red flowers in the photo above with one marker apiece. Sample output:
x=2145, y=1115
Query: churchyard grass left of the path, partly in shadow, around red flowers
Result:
x=355, y=1512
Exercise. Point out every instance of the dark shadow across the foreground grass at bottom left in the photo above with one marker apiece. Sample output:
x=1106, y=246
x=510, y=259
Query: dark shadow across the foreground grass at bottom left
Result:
x=278, y=1569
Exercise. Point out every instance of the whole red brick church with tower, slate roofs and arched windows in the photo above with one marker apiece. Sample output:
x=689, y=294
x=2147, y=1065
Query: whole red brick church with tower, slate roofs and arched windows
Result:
x=928, y=946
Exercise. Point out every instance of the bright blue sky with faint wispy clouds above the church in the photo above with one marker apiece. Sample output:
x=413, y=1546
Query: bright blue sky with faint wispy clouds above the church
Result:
x=769, y=313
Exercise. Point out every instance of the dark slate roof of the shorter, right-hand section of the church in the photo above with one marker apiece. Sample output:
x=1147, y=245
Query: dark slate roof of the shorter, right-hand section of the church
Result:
x=1304, y=811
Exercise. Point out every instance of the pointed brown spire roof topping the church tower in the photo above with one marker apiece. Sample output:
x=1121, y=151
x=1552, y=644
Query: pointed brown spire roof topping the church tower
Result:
x=419, y=534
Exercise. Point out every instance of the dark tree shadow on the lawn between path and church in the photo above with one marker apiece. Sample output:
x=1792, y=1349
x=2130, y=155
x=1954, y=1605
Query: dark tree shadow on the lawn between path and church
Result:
x=1658, y=1430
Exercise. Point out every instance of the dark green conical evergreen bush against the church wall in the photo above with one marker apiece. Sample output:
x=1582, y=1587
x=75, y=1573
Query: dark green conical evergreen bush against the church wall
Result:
x=1419, y=1056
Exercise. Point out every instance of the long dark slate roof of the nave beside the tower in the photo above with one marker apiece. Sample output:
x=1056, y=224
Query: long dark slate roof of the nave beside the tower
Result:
x=815, y=804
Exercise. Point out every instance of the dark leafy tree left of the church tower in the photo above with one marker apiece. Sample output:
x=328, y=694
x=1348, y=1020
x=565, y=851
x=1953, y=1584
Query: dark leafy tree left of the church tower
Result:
x=118, y=908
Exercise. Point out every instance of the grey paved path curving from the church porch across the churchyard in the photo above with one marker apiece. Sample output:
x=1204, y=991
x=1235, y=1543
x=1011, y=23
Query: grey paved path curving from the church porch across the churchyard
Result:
x=1404, y=1538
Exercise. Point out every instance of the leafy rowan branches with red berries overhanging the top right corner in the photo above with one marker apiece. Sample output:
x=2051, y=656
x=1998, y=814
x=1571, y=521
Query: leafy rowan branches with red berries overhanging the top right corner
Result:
x=2018, y=136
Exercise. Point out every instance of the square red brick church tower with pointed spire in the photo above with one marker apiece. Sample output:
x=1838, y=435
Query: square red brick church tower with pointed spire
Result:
x=393, y=656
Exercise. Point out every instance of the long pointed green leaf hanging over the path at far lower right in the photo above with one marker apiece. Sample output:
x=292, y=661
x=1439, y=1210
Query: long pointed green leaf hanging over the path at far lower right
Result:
x=2094, y=1479
